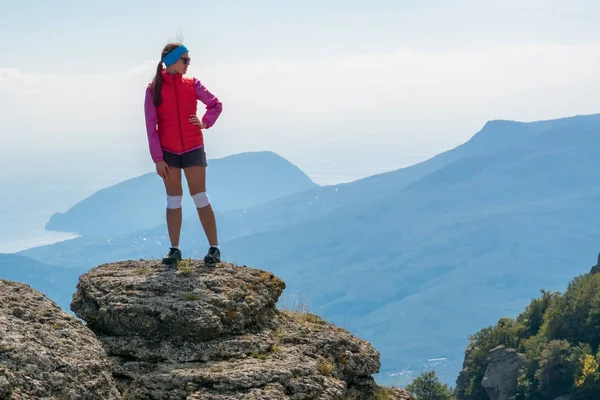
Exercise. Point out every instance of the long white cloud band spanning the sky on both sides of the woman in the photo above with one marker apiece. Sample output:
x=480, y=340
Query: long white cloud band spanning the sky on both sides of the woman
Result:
x=414, y=95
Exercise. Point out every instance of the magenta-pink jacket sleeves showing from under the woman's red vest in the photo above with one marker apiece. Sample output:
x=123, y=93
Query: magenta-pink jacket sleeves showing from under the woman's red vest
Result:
x=213, y=109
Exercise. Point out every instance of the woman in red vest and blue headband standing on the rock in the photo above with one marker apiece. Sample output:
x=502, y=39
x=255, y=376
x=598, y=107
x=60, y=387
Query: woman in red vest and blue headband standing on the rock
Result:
x=175, y=138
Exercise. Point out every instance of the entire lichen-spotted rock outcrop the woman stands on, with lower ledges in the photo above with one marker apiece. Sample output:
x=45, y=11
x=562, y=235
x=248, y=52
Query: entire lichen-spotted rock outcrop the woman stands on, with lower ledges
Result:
x=214, y=333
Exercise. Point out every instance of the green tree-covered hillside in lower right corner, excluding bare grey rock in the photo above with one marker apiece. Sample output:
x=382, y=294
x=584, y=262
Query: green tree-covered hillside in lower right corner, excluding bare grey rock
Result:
x=559, y=336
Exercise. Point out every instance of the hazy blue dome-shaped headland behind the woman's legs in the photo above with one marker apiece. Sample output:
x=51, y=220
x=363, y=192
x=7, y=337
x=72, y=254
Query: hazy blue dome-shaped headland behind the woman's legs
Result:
x=233, y=182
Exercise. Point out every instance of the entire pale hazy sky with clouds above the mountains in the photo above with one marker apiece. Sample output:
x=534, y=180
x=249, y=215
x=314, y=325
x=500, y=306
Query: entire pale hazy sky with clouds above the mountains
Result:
x=339, y=88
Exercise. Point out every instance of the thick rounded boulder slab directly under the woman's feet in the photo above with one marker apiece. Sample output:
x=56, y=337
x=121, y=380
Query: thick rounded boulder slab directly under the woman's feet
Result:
x=137, y=298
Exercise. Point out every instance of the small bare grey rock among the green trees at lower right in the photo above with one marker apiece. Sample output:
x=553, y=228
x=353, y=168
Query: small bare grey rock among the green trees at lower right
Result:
x=500, y=379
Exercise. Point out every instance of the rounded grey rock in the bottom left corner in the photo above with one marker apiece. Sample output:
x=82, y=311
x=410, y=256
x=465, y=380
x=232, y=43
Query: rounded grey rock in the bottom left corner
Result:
x=47, y=354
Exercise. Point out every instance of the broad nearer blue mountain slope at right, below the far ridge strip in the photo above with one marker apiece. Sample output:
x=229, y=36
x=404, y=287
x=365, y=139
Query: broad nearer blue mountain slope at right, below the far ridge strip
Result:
x=420, y=270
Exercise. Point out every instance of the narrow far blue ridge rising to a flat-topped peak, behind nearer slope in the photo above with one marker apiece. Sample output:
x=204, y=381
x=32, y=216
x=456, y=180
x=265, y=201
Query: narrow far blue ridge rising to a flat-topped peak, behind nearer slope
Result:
x=493, y=137
